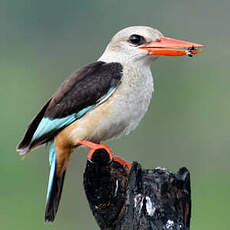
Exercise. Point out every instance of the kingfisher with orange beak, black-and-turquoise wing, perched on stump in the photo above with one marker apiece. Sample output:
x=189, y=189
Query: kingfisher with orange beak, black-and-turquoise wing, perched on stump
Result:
x=99, y=101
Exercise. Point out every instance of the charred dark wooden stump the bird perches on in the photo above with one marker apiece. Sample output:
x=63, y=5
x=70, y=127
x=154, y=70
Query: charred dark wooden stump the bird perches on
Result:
x=138, y=199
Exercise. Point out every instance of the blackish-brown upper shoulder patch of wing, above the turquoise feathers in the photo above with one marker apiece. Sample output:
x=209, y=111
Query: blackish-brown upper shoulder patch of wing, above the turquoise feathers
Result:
x=84, y=88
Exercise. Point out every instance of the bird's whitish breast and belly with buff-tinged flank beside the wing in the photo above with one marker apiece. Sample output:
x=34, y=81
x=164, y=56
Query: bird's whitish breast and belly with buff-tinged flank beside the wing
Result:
x=123, y=111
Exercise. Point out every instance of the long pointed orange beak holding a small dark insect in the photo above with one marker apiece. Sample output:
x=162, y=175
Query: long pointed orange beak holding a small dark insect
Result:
x=172, y=47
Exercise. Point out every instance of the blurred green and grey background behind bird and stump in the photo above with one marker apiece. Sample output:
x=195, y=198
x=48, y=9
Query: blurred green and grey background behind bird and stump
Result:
x=42, y=42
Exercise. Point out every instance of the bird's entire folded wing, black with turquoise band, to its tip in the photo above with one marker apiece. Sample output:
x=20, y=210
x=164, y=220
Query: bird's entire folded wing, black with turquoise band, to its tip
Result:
x=81, y=90
